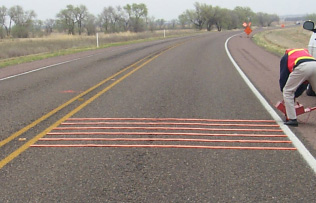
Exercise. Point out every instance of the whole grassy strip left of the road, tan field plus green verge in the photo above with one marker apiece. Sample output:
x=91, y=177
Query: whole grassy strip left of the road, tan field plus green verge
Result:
x=17, y=51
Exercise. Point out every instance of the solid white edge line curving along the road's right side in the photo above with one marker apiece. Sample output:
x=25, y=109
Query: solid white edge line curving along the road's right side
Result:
x=296, y=142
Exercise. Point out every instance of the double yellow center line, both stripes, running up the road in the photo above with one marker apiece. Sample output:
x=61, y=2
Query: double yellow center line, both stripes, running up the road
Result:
x=139, y=64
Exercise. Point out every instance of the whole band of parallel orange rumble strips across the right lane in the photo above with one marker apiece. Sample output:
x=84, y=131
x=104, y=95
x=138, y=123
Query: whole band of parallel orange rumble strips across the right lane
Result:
x=134, y=132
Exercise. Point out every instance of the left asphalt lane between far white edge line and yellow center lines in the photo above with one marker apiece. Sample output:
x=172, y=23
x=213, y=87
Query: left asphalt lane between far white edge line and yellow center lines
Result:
x=28, y=100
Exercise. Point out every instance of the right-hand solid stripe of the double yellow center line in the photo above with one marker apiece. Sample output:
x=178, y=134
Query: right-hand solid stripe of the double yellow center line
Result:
x=24, y=147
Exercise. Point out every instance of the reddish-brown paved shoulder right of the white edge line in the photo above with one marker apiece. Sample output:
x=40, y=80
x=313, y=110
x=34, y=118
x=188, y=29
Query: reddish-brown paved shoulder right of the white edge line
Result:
x=262, y=69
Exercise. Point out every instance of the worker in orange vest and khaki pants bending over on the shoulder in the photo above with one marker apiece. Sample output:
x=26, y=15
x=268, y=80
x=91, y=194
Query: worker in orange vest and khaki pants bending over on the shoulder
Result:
x=297, y=70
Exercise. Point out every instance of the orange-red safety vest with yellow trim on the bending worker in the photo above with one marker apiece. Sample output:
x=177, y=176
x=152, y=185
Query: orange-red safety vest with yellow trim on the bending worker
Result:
x=295, y=57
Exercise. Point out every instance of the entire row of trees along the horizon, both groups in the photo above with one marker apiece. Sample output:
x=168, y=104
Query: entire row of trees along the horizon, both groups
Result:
x=18, y=23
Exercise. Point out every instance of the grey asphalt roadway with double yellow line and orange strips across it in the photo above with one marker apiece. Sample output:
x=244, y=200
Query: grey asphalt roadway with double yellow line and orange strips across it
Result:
x=163, y=121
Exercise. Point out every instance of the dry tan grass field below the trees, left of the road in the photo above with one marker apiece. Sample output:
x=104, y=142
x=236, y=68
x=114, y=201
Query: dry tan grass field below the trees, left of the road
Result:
x=10, y=48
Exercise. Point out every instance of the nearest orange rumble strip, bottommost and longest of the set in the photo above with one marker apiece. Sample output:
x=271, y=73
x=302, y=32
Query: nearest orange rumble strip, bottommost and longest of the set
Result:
x=171, y=146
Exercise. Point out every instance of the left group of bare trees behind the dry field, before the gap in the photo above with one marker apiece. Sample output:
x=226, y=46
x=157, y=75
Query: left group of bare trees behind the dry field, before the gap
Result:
x=15, y=22
